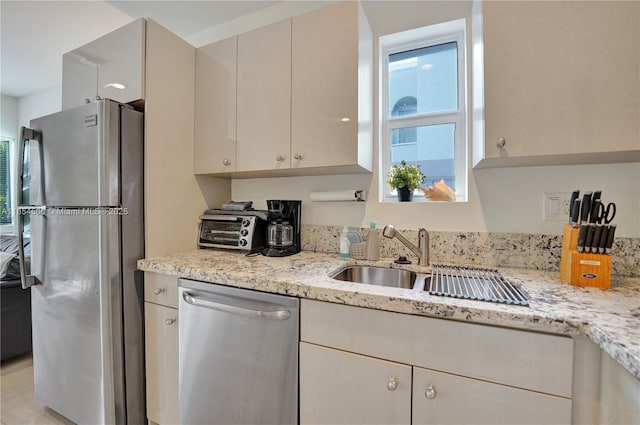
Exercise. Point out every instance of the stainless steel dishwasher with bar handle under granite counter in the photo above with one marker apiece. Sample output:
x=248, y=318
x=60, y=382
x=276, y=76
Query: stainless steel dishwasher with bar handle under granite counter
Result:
x=238, y=356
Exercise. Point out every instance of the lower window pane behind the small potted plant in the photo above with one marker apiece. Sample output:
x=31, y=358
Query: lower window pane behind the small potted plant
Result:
x=431, y=147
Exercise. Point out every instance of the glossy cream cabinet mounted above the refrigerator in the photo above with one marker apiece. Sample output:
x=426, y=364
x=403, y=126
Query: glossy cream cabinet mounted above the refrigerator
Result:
x=113, y=66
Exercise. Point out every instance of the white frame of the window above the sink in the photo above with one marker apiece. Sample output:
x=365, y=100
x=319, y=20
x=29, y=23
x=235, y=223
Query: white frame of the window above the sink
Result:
x=414, y=39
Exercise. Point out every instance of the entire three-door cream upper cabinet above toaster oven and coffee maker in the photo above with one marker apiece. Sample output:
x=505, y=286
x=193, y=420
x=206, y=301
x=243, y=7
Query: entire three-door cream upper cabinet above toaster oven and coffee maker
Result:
x=302, y=100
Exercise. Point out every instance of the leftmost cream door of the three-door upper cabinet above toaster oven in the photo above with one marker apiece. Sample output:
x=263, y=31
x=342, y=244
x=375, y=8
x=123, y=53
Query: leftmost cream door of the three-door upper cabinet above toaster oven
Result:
x=215, y=121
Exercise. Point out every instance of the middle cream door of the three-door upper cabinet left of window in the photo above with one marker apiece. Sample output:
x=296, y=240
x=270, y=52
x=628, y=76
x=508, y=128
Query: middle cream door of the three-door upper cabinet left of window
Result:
x=264, y=98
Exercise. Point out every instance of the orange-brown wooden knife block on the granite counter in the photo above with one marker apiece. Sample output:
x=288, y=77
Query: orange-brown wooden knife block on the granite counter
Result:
x=581, y=268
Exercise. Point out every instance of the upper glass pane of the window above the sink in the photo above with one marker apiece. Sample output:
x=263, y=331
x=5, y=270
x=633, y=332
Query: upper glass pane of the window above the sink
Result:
x=424, y=80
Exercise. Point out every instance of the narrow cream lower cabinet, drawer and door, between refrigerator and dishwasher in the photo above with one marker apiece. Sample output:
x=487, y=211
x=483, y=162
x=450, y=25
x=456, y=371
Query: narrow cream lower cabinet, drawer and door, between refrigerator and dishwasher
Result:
x=161, y=348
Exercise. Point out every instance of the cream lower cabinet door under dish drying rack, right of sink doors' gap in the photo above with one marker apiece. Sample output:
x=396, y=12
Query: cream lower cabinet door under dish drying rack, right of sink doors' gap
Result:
x=442, y=398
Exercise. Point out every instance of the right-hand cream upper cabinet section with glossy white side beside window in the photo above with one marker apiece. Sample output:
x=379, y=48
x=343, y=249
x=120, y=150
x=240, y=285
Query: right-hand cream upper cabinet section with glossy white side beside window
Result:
x=331, y=89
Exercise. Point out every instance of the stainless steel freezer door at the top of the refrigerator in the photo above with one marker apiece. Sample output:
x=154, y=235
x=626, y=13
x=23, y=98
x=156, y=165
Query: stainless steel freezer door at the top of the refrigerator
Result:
x=77, y=160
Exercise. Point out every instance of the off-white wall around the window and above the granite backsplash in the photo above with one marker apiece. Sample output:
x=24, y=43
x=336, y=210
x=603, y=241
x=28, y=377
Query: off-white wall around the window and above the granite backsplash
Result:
x=500, y=200
